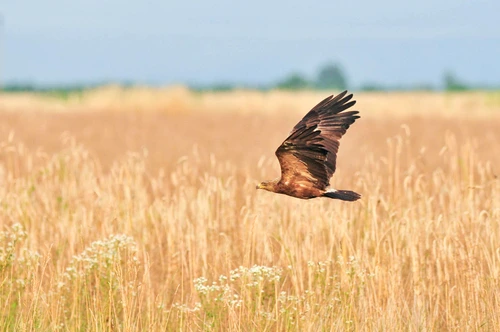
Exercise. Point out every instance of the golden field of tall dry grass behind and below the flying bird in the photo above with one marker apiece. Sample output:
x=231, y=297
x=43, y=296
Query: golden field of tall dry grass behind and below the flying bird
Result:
x=136, y=210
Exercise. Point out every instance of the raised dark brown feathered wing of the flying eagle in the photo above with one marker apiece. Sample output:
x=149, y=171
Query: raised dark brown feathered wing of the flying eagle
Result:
x=309, y=154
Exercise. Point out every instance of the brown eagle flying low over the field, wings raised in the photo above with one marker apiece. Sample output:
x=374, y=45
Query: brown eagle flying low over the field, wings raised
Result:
x=308, y=156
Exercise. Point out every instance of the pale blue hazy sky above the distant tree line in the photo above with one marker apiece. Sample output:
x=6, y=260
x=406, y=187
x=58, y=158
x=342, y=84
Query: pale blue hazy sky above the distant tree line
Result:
x=165, y=42
